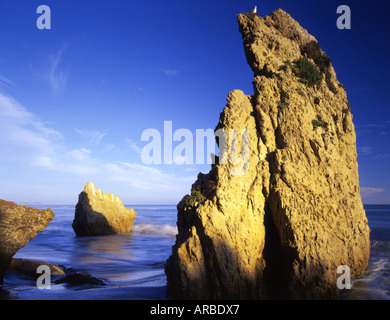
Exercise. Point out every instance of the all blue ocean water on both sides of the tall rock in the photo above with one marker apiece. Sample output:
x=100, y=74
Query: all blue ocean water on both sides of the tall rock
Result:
x=132, y=265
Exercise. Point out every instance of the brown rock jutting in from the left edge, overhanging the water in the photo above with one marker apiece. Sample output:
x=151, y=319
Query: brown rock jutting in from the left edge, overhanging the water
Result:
x=18, y=225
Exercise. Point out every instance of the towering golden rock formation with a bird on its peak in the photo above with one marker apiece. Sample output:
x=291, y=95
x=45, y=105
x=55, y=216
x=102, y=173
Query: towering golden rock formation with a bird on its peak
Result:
x=282, y=227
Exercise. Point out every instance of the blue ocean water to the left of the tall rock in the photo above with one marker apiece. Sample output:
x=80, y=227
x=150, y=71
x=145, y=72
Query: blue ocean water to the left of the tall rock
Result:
x=131, y=264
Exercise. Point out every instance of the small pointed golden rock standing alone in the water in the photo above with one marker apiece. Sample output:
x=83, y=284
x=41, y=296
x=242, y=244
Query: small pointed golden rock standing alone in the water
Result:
x=98, y=213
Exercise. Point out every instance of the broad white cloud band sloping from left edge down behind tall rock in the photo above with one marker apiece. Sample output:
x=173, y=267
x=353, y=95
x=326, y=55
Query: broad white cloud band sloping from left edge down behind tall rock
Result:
x=29, y=144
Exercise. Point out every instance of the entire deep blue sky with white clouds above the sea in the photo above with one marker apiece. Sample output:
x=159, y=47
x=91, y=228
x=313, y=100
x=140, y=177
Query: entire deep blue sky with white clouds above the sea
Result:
x=75, y=99
